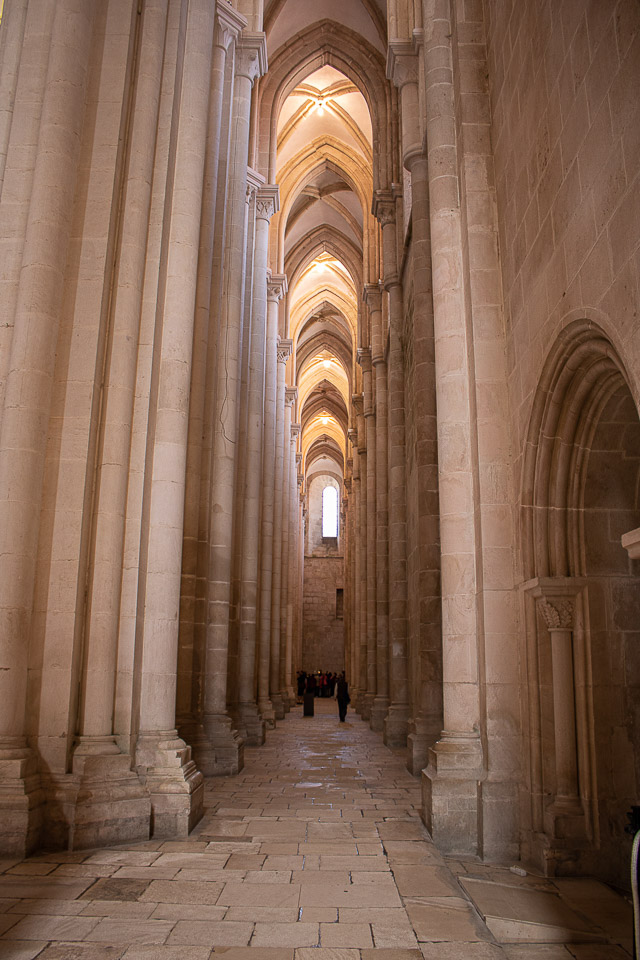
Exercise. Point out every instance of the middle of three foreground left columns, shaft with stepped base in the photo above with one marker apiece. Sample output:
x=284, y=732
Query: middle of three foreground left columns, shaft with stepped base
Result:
x=97, y=758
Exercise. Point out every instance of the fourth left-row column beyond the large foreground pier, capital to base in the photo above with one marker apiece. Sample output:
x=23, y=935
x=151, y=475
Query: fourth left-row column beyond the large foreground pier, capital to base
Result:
x=284, y=352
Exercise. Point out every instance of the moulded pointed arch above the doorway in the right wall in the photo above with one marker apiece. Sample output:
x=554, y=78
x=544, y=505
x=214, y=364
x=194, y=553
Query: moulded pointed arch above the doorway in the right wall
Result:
x=580, y=374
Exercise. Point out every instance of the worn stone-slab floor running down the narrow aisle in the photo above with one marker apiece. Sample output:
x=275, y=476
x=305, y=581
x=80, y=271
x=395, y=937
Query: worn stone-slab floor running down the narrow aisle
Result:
x=316, y=851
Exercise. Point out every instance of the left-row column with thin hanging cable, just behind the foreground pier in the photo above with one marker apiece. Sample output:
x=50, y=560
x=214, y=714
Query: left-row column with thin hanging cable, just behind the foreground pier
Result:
x=222, y=752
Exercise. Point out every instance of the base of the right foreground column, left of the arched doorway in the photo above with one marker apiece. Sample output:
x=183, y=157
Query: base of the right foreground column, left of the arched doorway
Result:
x=451, y=794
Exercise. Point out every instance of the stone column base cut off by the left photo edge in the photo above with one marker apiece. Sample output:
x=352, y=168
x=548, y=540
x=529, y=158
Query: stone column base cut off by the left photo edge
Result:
x=21, y=800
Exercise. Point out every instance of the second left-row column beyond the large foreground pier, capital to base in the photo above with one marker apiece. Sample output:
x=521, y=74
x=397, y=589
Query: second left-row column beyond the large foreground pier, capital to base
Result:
x=250, y=724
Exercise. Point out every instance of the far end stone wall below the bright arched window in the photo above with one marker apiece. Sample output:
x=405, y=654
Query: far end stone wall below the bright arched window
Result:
x=322, y=632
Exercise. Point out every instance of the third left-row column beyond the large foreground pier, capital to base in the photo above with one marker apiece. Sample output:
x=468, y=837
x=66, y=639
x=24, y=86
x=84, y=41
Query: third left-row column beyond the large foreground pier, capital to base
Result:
x=276, y=289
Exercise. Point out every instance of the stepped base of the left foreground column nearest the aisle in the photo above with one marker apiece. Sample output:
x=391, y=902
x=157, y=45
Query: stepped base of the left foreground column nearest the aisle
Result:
x=174, y=783
